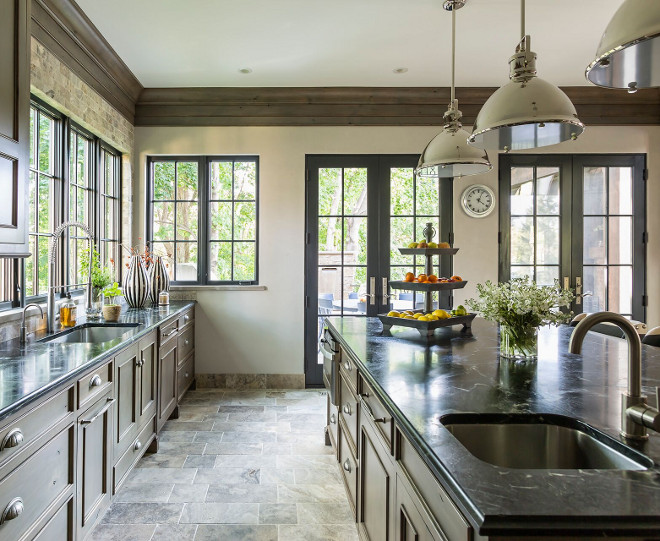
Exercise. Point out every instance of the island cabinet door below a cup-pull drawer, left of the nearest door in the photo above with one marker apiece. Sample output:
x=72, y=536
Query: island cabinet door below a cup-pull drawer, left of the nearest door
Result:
x=376, y=487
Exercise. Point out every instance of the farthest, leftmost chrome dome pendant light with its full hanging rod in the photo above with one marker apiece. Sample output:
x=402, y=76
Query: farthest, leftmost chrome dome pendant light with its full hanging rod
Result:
x=448, y=154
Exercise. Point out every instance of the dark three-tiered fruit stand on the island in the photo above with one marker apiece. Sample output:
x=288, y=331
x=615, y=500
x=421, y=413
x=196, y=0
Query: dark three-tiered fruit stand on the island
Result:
x=426, y=328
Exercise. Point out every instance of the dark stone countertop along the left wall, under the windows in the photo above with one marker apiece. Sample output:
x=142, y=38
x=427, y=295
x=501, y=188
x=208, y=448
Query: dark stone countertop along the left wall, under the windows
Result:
x=31, y=371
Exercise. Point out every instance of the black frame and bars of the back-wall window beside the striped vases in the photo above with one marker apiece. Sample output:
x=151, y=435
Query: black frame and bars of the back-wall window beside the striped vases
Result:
x=204, y=226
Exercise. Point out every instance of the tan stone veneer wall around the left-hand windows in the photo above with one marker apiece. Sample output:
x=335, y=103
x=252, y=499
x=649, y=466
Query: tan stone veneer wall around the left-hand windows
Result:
x=54, y=83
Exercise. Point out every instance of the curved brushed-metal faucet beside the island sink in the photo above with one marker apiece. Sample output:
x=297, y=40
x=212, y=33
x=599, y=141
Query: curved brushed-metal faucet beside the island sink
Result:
x=636, y=414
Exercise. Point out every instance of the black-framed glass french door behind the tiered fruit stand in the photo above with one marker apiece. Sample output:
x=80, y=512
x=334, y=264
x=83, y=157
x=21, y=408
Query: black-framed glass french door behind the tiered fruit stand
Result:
x=360, y=209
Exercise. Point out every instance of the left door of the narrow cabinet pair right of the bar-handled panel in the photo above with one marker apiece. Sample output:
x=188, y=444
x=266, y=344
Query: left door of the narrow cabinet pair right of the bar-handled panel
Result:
x=126, y=384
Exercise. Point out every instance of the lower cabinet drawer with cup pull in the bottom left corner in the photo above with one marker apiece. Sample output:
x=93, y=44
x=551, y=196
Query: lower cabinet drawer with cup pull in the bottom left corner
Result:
x=37, y=483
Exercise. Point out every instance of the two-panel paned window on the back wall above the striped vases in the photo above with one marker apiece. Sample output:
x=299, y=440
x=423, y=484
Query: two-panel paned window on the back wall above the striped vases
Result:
x=202, y=213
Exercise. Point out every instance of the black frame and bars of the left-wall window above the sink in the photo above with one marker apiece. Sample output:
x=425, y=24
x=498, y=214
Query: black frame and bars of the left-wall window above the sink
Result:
x=60, y=207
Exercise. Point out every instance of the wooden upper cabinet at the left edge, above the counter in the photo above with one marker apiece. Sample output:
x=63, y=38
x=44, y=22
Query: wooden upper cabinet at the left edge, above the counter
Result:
x=14, y=125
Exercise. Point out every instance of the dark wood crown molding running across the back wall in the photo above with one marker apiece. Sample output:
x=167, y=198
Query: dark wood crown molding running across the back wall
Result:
x=362, y=106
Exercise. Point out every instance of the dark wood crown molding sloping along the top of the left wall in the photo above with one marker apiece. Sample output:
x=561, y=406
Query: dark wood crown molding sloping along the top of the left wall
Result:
x=64, y=29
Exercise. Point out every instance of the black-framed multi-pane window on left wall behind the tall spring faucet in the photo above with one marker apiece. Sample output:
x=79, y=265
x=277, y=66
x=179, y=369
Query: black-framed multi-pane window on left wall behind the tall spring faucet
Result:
x=73, y=176
